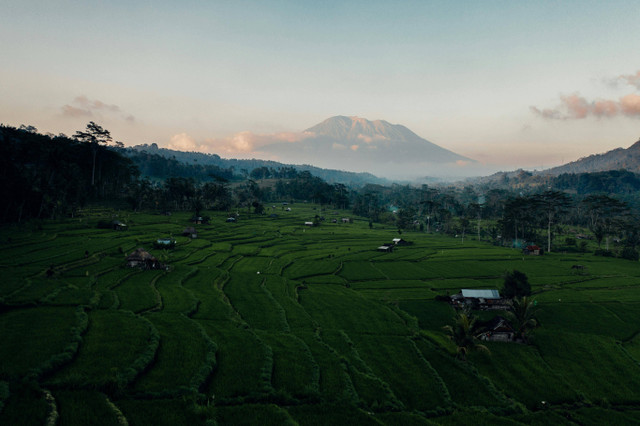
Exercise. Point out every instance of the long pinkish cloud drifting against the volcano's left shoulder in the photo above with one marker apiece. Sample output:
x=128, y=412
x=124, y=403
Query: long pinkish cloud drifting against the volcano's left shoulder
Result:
x=239, y=143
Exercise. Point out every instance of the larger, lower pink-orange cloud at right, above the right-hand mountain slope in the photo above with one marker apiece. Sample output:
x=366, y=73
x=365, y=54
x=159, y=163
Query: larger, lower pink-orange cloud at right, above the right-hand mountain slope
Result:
x=575, y=107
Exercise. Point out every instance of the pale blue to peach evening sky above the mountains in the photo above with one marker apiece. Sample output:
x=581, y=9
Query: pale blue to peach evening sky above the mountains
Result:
x=511, y=84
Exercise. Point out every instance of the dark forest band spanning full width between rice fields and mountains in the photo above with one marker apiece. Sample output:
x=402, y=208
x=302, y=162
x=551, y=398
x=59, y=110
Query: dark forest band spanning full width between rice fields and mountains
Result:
x=49, y=176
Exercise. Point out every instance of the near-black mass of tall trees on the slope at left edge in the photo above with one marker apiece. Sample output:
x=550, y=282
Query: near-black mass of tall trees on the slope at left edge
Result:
x=46, y=176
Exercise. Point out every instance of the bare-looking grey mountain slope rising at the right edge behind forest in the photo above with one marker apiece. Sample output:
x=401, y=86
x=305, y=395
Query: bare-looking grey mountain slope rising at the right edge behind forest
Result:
x=617, y=159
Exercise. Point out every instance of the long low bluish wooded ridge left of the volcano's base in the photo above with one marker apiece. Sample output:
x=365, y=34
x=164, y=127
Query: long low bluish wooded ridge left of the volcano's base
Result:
x=237, y=166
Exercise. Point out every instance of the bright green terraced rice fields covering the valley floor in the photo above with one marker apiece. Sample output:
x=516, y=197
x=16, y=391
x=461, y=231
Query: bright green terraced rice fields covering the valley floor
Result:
x=264, y=320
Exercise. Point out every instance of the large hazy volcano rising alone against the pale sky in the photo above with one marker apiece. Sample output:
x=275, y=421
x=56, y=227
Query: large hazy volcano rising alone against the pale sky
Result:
x=357, y=144
